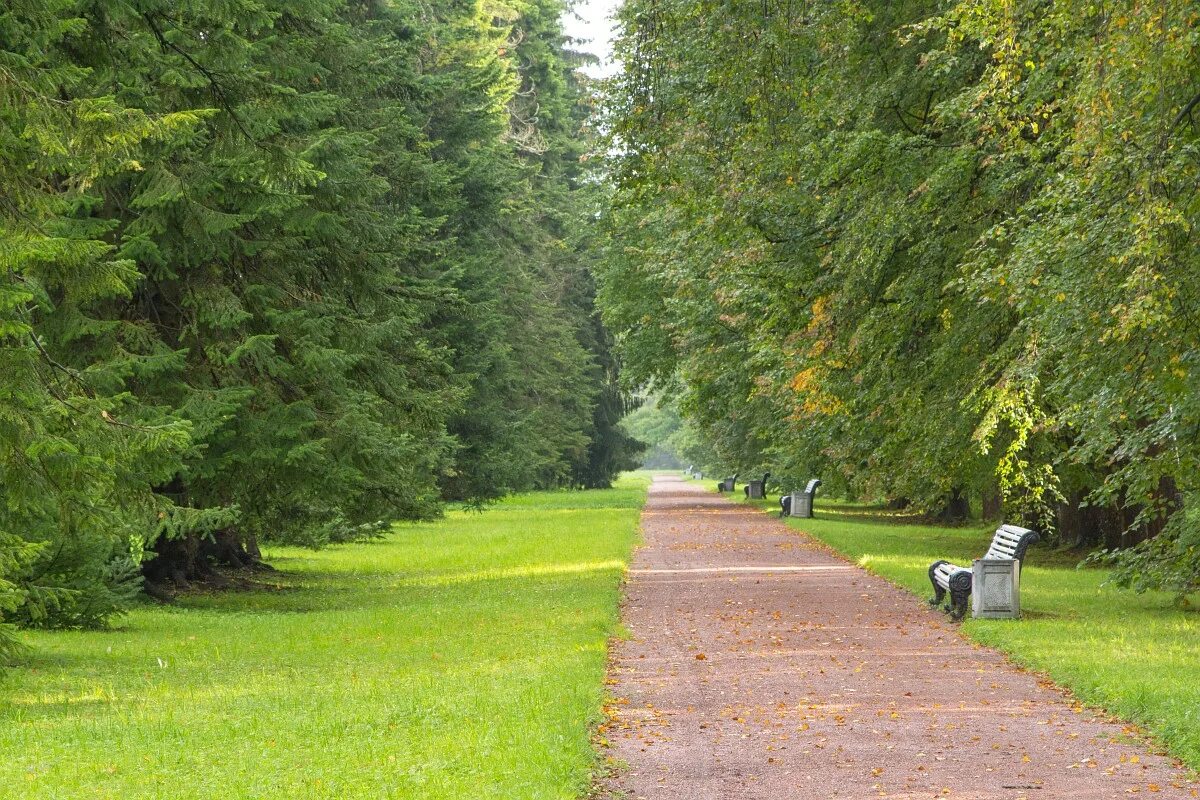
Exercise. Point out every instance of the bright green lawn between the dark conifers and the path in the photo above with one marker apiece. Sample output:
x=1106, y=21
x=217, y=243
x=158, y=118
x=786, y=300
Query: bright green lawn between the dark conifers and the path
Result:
x=457, y=659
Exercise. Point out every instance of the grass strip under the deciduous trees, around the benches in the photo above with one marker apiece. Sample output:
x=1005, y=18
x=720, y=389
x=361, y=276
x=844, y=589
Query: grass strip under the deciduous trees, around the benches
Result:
x=1137, y=657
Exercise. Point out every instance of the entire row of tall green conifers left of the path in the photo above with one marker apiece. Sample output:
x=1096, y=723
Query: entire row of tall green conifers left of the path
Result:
x=284, y=272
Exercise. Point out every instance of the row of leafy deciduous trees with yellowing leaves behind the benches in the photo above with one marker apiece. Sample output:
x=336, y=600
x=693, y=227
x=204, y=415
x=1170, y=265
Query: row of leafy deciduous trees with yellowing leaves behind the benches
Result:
x=939, y=254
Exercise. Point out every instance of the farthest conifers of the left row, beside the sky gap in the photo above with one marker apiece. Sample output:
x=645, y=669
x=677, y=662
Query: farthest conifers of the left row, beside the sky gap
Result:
x=543, y=399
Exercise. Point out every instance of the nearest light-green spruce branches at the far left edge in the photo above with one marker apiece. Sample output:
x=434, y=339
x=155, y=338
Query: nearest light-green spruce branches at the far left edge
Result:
x=79, y=454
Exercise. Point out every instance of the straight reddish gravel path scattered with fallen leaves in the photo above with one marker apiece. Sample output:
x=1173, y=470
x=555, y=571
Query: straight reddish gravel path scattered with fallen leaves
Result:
x=761, y=666
